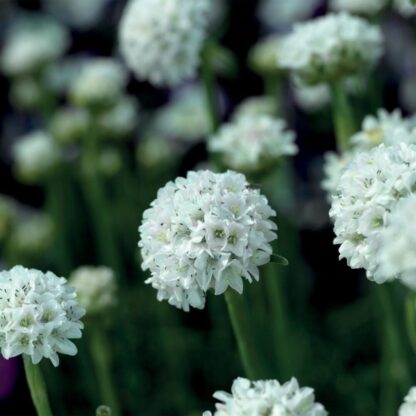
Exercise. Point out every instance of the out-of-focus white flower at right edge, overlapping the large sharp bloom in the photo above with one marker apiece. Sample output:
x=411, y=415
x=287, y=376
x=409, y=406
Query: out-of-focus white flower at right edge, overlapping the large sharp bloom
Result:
x=396, y=255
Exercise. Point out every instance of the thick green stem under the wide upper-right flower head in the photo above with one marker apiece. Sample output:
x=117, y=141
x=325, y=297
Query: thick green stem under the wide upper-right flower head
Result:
x=344, y=121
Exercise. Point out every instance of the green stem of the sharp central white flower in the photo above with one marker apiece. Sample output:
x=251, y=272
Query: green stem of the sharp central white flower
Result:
x=250, y=357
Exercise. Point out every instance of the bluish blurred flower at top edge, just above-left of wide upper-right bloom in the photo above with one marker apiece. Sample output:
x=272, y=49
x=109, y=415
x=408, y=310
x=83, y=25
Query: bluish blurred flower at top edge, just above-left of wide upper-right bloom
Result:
x=282, y=13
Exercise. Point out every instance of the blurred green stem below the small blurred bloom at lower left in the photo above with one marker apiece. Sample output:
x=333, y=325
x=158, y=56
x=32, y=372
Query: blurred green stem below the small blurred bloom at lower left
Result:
x=102, y=362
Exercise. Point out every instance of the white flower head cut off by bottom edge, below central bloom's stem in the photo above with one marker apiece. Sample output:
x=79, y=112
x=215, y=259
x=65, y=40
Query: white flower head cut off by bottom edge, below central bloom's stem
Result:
x=267, y=397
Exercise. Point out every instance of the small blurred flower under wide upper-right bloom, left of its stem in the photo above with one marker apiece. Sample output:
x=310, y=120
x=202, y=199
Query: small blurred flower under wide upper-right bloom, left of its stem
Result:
x=311, y=98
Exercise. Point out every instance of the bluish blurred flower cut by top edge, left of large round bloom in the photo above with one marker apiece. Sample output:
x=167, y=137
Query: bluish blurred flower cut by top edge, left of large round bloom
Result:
x=80, y=14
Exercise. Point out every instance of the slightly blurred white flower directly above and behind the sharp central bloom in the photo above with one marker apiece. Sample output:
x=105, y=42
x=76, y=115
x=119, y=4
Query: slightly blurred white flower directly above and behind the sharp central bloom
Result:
x=253, y=143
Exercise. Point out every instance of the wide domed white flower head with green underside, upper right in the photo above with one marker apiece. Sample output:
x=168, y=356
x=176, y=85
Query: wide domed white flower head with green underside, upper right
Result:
x=331, y=48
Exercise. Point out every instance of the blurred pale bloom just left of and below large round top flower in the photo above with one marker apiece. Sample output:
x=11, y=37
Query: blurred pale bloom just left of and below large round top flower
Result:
x=100, y=83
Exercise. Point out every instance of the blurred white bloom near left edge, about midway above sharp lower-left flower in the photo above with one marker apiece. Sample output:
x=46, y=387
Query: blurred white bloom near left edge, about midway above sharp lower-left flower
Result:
x=35, y=155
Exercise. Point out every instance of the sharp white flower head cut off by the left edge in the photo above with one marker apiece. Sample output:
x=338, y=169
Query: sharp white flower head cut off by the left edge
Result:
x=39, y=314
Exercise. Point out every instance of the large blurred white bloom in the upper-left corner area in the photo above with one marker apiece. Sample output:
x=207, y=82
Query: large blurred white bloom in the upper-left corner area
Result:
x=31, y=43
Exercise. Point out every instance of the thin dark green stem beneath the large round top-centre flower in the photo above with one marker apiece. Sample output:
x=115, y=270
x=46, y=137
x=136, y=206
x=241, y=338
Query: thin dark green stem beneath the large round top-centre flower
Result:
x=208, y=78
